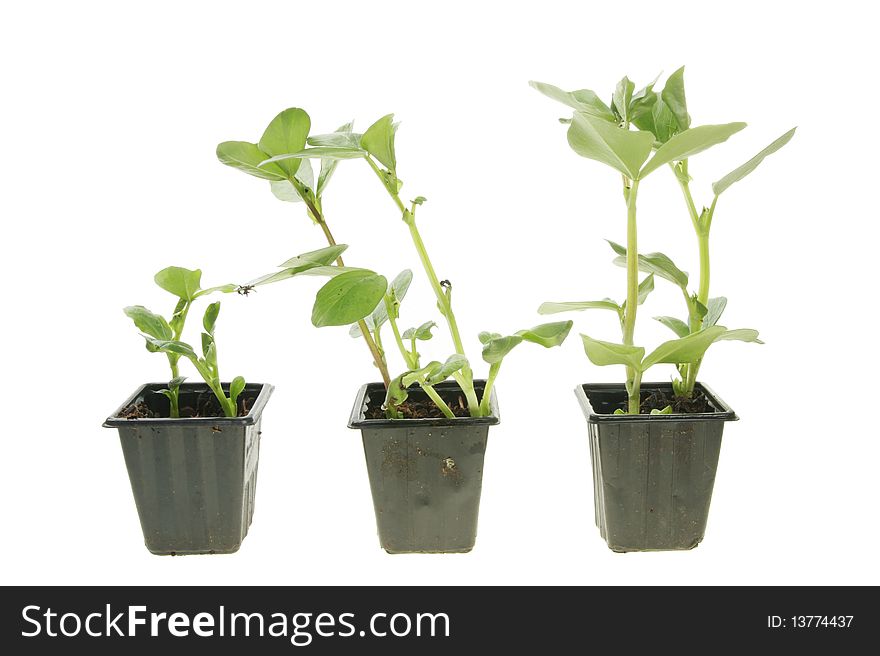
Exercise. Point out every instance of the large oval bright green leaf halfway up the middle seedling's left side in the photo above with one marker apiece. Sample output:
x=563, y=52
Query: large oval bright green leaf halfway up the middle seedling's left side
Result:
x=347, y=298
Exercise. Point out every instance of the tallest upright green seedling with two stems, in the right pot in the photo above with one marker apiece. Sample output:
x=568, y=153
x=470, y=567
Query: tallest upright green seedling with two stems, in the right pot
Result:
x=636, y=134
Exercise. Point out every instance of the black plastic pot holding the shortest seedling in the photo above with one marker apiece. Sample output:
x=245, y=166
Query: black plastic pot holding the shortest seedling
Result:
x=193, y=479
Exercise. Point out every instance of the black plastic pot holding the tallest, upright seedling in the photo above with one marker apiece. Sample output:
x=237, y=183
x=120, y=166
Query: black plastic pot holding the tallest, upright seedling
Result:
x=652, y=474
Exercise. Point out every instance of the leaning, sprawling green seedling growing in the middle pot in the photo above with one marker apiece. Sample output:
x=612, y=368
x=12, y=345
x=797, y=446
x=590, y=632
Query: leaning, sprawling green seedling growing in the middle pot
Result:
x=376, y=147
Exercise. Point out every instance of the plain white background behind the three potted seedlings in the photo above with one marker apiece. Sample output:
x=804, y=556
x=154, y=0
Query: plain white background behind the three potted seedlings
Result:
x=110, y=116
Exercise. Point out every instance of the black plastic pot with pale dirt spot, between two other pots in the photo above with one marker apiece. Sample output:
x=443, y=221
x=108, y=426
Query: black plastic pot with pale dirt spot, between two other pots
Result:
x=426, y=475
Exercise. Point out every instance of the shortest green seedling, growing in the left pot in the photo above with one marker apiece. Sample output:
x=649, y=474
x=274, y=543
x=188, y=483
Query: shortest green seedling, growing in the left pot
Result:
x=159, y=332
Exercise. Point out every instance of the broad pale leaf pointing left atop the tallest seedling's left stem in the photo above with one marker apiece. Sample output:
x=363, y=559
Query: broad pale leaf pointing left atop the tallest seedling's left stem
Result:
x=620, y=149
